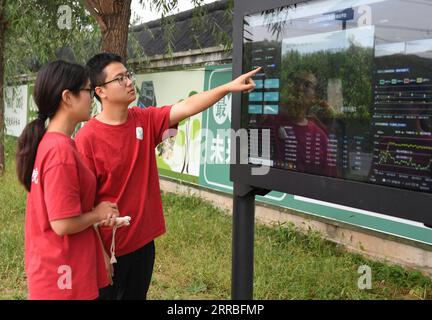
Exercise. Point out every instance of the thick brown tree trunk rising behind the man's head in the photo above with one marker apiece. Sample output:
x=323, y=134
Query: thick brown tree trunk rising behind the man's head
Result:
x=112, y=17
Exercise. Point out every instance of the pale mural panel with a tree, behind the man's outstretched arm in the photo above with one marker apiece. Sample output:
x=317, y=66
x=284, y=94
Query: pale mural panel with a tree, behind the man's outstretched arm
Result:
x=178, y=156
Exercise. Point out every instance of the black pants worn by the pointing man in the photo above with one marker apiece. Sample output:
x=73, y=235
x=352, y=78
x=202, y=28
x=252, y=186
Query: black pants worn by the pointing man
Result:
x=132, y=275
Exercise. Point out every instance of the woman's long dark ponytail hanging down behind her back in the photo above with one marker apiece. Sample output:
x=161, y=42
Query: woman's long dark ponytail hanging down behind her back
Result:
x=28, y=143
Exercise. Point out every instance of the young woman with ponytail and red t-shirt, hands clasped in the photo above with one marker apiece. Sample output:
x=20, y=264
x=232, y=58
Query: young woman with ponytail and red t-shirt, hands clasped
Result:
x=64, y=258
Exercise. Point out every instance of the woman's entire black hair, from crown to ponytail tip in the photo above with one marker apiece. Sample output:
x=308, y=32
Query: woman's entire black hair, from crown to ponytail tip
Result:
x=51, y=81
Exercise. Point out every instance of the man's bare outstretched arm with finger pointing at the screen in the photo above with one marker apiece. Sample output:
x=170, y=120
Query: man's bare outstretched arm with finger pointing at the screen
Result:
x=201, y=101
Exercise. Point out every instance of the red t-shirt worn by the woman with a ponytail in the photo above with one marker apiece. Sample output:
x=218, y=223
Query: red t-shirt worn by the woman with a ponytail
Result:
x=70, y=266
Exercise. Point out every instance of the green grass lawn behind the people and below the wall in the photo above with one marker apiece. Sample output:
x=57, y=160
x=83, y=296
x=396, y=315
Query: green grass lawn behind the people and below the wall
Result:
x=193, y=259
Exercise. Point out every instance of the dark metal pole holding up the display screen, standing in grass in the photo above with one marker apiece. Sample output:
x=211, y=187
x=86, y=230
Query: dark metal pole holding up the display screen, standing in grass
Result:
x=243, y=240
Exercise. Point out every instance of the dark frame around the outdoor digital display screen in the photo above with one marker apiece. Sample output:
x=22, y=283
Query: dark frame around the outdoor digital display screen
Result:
x=407, y=204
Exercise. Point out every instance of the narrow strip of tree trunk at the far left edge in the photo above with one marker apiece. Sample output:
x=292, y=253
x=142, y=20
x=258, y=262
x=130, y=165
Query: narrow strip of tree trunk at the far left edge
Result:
x=2, y=124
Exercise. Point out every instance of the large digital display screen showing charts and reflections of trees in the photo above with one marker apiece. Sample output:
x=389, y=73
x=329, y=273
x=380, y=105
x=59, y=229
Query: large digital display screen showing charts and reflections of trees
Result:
x=345, y=91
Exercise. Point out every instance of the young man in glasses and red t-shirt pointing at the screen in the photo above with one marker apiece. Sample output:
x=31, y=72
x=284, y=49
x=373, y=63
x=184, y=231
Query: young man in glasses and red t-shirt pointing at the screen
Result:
x=119, y=146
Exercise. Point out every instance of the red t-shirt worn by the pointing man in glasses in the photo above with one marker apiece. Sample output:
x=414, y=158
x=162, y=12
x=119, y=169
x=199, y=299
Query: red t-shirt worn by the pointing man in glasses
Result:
x=123, y=159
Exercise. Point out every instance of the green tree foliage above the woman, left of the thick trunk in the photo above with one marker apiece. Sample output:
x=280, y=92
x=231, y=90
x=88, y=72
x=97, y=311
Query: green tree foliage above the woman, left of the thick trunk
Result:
x=34, y=35
